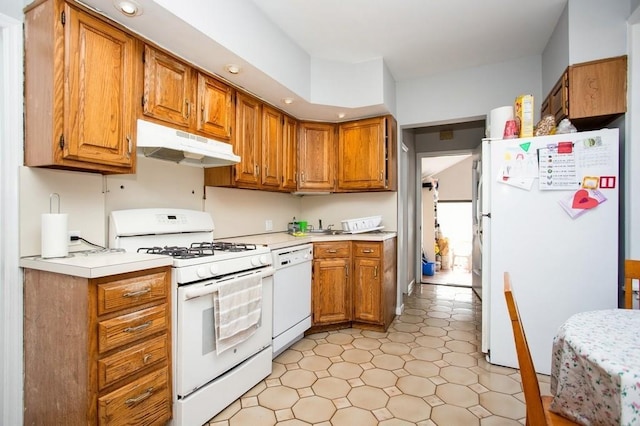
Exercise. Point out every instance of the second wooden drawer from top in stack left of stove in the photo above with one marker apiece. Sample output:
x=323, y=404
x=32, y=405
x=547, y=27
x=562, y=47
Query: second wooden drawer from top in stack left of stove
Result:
x=128, y=328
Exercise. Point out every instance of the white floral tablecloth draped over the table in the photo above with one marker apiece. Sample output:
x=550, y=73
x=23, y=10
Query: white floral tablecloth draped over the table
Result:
x=595, y=371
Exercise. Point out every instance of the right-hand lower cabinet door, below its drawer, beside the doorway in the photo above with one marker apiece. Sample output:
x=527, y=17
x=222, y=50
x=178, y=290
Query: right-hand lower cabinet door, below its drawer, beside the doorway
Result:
x=367, y=294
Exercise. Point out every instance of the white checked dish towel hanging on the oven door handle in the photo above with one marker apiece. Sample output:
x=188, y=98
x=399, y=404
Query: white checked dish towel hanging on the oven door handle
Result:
x=237, y=311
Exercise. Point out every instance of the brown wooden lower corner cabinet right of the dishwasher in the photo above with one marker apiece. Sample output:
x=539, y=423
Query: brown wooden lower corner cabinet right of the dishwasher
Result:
x=354, y=285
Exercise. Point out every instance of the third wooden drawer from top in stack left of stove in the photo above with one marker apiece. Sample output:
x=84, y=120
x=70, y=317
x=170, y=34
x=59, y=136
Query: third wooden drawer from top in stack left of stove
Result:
x=127, y=362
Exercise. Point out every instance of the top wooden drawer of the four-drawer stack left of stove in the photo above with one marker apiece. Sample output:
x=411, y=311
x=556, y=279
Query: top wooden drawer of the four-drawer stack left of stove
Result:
x=132, y=291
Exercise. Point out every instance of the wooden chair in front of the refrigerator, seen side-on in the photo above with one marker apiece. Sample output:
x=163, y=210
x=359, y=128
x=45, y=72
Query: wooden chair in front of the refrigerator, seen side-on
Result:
x=538, y=413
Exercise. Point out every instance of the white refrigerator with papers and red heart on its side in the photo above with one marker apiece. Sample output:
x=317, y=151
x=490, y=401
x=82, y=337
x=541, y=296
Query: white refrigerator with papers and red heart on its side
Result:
x=546, y=212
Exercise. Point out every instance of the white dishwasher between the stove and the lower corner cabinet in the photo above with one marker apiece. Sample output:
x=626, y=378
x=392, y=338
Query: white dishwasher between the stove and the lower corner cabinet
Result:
x=291, y=295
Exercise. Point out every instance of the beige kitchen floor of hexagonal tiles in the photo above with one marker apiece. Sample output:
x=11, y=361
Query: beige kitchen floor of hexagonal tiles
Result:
x=427, y=369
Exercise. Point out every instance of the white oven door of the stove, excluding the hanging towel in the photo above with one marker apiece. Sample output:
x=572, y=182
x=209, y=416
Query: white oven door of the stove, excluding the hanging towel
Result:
x=197, y=362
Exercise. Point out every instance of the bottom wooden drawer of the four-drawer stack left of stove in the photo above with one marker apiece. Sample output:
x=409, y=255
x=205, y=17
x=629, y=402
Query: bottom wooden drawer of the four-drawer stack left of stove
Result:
x=146, y=401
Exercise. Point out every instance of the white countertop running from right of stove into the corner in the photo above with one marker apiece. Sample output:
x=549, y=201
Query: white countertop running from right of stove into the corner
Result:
x=278, y=240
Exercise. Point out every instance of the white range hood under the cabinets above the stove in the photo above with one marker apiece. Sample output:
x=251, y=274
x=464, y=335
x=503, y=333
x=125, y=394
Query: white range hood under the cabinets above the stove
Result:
x=177, y=146
